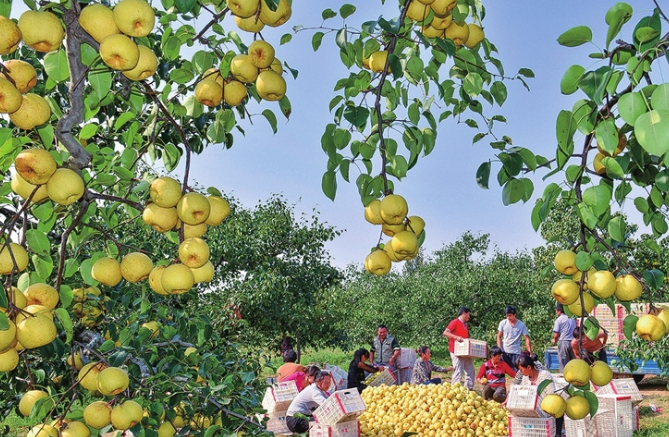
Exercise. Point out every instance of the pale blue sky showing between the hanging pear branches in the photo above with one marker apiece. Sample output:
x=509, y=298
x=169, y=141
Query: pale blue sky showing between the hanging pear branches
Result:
x=441, y=188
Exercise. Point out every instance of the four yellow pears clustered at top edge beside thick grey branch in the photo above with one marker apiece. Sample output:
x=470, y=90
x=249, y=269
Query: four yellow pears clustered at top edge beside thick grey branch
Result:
x=114, y=29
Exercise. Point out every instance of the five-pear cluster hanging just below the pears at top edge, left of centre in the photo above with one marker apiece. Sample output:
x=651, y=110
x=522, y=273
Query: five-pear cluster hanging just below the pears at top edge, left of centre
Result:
x=259, y=67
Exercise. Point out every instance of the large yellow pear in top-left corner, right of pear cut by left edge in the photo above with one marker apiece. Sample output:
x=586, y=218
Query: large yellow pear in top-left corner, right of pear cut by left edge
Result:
x=41, y=30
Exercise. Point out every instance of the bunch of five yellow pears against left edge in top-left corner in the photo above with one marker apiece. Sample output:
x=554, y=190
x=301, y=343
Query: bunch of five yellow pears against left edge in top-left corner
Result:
x=43, y=32
